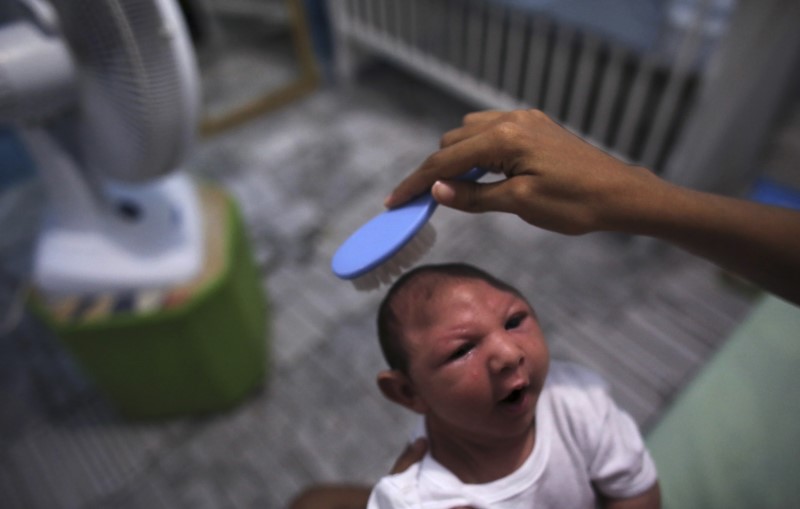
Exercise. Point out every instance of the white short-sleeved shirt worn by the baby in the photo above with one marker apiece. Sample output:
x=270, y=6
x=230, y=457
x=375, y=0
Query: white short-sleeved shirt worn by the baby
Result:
x=583, y=440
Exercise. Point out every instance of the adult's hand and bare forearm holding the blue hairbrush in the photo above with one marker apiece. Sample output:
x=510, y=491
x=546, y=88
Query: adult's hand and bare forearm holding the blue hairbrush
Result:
x=557, y=181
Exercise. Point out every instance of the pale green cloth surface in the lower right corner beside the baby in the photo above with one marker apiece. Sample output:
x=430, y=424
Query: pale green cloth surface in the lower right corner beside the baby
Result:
x=732, y=438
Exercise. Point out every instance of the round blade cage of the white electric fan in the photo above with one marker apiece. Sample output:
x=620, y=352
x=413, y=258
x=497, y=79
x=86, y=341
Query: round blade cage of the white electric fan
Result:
x=136, y=84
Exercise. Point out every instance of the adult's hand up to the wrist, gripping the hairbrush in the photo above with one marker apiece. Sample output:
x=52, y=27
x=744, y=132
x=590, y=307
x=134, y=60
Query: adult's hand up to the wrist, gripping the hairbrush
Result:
x=555, y=180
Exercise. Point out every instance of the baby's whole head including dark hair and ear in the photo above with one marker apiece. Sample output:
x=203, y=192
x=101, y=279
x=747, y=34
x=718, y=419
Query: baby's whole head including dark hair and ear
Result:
x=464, y=348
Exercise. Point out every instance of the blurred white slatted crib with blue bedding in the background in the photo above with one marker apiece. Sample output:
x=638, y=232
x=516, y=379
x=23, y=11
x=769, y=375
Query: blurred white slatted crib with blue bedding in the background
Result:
x=639, y=78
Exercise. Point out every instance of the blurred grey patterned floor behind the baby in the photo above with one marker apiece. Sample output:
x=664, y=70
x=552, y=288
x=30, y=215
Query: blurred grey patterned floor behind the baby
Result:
x=645, y=316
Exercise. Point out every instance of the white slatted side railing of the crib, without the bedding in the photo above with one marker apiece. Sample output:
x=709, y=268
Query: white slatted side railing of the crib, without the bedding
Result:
x=495, y=55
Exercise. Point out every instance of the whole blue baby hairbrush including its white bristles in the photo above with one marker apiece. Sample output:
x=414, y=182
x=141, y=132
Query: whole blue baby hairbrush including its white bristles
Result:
x=390, y=242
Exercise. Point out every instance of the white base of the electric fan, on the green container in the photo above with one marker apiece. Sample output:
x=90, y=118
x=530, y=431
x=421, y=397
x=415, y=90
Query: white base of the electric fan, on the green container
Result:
x=155, y=240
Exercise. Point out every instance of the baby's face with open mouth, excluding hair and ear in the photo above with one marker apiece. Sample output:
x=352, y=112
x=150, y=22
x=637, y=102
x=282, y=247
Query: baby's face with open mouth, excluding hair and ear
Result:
x=477, y=359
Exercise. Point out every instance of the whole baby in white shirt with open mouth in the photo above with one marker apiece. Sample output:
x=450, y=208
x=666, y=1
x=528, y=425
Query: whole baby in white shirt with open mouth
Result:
x=506, y=426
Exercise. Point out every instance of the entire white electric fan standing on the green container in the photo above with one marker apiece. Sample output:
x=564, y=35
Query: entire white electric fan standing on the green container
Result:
x=105, y=96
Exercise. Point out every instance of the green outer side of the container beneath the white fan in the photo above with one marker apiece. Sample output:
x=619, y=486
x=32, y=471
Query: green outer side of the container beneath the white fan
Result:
x=205, y=355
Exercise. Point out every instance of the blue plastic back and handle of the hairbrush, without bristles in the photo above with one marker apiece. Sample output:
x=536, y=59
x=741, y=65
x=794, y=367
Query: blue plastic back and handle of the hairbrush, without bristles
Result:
x=384, y=235
